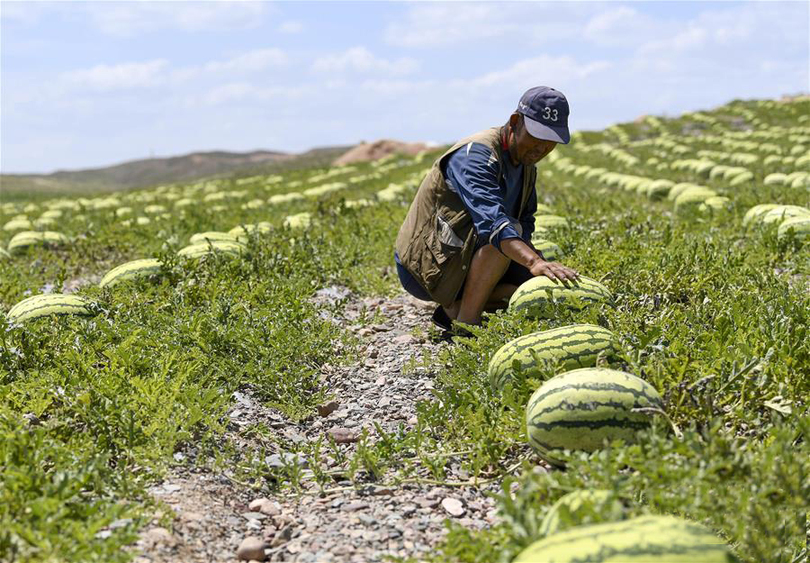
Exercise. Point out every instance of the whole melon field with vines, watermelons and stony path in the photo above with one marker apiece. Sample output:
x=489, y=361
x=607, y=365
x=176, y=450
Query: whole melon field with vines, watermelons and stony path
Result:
x=219, y=359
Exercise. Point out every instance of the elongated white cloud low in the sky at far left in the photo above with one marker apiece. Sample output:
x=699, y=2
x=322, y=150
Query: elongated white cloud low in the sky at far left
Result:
x=117, y=77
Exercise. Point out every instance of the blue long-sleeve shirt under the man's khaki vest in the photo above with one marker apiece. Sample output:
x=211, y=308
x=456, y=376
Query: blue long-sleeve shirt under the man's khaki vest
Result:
x=472, y=172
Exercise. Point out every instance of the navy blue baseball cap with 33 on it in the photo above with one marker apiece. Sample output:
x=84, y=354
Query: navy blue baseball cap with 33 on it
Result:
x=545, y=111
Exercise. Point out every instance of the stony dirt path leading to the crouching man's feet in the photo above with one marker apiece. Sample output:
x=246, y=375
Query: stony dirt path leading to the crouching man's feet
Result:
x=214, y=519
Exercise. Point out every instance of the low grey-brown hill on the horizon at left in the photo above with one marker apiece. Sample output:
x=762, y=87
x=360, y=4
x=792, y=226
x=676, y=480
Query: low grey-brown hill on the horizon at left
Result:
x=146, y=172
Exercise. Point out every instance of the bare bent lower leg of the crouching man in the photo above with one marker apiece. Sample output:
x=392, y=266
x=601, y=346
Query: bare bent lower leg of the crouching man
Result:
x=482, y=290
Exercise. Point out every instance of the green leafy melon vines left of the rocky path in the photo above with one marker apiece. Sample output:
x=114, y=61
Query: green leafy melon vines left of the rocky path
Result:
x=115, y=395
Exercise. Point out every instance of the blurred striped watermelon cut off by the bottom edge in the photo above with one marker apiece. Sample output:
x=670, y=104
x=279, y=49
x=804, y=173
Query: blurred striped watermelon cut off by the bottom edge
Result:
x=645, y=539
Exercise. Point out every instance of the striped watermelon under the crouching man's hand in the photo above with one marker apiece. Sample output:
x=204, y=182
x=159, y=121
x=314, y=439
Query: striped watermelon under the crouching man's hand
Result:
x=535, y=294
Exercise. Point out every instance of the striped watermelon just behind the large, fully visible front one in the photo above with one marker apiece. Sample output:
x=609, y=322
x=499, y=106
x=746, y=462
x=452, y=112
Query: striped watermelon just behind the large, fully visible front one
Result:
x=574, y=346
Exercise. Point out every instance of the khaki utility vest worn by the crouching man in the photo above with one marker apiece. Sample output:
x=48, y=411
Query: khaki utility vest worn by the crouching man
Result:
x=436, y=241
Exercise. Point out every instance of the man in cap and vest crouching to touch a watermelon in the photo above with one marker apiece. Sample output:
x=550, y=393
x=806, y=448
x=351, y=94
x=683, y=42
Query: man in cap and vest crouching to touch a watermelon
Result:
x=466, y=241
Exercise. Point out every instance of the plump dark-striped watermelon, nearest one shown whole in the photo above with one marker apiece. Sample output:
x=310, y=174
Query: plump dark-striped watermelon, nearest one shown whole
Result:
x=580, y=409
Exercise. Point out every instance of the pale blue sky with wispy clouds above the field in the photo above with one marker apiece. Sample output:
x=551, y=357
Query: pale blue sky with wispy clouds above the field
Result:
x=91, y=84
